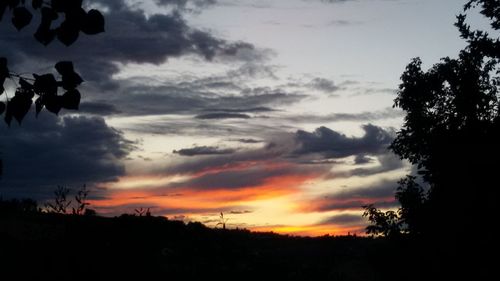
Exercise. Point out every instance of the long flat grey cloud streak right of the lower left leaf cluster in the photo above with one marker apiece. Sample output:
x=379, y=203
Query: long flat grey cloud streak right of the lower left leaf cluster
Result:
x=174, y=99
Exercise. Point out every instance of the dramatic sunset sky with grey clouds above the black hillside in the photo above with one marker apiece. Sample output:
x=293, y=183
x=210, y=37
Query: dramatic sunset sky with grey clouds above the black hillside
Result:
x=277, y=113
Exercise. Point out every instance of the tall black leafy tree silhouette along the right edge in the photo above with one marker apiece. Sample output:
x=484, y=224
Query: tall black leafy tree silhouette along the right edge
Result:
x=451, y=132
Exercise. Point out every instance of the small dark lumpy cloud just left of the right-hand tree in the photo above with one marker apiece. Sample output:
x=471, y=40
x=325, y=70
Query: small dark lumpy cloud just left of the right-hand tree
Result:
x=332, y=144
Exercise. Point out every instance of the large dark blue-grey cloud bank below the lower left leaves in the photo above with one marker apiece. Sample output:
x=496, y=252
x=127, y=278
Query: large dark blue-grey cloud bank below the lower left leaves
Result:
x=49, y=151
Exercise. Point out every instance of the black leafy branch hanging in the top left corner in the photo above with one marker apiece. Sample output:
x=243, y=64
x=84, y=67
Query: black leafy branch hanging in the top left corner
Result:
x=76, y=19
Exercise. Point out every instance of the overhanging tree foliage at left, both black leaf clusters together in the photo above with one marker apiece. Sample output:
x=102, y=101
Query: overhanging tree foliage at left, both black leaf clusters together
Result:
x=45, y=86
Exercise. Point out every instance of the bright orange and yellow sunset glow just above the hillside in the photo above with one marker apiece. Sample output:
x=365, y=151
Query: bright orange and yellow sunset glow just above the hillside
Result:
x=205, y=204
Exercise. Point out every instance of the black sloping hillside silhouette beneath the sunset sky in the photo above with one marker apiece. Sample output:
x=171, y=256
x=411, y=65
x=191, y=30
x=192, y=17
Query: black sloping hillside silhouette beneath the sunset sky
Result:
x=35, y=244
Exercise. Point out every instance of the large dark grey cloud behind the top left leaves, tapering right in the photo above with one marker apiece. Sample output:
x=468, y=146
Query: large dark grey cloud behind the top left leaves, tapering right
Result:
x=130, y=37
